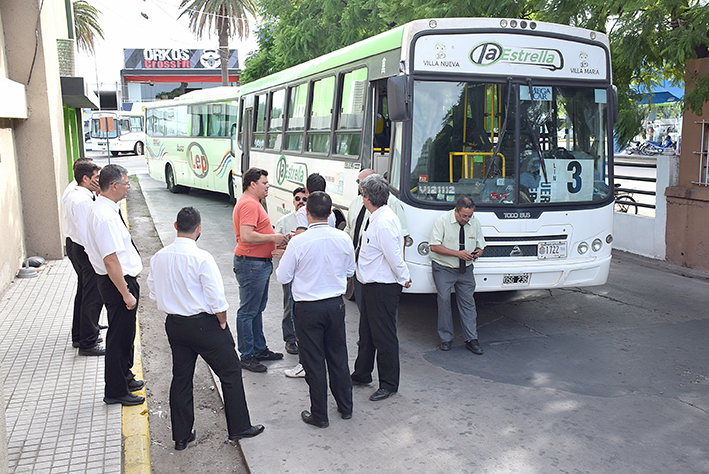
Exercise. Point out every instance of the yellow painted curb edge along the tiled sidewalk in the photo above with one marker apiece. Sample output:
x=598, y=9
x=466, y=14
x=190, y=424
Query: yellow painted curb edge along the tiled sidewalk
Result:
x=136, y=426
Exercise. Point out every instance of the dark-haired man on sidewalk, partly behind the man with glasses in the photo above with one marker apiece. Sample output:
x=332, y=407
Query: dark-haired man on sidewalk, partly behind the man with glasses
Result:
x=87, y=303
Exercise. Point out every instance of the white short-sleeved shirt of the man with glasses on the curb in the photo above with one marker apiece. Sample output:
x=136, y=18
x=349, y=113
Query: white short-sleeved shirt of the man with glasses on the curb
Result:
x=107, y=234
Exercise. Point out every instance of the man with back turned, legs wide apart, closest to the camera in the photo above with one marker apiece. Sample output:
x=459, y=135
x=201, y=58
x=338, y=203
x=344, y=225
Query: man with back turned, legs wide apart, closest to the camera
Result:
x=185, y=282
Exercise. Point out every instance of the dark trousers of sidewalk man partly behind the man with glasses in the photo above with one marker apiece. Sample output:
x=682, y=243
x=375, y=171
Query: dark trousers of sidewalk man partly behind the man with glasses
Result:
x=87, y=302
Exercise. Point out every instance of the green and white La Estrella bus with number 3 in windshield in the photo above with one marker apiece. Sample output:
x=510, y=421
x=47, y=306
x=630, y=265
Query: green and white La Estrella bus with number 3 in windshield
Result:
x=516, y=114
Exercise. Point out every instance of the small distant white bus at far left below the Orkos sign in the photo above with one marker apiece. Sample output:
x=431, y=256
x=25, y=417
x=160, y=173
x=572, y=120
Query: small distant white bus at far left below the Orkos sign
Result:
x=124, y=132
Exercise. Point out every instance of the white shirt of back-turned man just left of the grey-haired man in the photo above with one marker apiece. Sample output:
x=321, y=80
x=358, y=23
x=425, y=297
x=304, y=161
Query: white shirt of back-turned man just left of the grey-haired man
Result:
x=318, y=262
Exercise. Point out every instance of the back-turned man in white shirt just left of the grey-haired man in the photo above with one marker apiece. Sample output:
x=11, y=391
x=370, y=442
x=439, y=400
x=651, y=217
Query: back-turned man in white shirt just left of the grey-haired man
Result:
x=317, y=264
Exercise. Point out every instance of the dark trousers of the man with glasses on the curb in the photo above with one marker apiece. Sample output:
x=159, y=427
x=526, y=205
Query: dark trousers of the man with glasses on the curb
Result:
x=120, y=335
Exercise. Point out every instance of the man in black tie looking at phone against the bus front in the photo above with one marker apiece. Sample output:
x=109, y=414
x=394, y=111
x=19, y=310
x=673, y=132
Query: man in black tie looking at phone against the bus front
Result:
x=456, y=242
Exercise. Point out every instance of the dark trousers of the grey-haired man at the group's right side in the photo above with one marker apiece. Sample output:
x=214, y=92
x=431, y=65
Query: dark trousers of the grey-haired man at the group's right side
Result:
x=377, y=335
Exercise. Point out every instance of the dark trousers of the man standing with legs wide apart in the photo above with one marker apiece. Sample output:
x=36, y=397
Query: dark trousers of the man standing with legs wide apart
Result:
x=202, y=335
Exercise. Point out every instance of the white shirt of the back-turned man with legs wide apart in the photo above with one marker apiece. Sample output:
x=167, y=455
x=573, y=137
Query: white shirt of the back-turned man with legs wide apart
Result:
x=185, y=280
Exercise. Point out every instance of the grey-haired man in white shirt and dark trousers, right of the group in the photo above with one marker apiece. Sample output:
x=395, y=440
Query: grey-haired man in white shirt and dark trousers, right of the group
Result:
x=382, y=271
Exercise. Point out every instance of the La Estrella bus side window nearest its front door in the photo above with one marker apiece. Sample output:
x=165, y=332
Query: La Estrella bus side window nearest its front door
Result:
x=354, y=90
